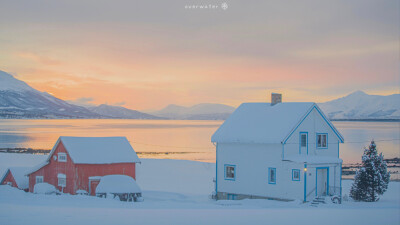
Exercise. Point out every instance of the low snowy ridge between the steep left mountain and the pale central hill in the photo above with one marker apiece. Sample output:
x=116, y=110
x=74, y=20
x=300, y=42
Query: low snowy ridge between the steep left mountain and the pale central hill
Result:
x=120, y=112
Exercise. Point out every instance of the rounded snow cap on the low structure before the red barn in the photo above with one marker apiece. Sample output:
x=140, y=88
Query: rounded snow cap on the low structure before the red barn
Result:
x=117, y=184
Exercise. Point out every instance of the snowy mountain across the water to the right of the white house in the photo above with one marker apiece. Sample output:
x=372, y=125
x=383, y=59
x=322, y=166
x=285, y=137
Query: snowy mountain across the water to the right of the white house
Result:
x=359, y=105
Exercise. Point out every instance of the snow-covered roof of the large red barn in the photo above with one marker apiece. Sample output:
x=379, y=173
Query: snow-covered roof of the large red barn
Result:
x=99, y=150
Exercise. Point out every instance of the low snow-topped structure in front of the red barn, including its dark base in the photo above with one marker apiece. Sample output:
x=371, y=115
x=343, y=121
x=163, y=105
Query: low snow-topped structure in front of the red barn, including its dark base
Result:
x=121, y=186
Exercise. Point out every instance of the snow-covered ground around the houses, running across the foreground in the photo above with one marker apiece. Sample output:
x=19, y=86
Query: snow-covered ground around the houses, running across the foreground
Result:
x=176, y=192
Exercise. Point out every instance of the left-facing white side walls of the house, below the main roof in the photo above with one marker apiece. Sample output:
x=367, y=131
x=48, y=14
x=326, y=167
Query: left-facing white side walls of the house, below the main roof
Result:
x=251, y=176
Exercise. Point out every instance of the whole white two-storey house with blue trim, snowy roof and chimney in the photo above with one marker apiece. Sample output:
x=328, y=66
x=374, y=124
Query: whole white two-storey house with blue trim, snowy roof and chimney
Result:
x=283, y=151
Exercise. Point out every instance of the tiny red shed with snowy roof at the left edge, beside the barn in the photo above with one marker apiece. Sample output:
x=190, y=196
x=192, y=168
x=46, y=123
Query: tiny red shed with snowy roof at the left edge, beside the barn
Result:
x=15, y=177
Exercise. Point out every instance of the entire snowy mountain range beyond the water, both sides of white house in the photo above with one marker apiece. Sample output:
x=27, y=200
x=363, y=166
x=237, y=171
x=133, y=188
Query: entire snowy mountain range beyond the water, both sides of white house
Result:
x=19, y=100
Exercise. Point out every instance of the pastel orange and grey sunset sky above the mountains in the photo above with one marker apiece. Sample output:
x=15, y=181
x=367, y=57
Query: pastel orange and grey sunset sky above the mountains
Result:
x=148, y=54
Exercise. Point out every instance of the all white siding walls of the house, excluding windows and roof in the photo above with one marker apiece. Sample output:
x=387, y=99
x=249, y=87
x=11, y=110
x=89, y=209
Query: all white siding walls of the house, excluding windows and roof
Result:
x=253, y=160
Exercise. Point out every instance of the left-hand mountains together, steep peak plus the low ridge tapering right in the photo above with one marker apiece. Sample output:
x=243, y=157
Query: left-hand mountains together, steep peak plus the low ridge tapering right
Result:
x=19, y=100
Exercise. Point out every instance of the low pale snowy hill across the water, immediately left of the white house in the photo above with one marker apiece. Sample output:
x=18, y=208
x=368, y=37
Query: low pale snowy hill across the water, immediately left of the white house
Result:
x=205, y=111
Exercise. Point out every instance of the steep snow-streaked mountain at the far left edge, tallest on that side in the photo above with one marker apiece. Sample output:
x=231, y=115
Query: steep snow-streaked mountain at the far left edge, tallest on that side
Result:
x=19, y=100
